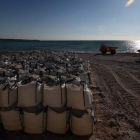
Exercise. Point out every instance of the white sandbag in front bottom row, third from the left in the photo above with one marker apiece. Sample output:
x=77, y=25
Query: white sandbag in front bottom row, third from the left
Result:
x=57, y=120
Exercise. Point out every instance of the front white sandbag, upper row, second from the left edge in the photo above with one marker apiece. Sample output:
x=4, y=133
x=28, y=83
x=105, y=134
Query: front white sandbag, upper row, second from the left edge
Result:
x=29, y=94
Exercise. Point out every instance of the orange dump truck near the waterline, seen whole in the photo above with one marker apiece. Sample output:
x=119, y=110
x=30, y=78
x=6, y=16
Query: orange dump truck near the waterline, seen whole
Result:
x=104, y=49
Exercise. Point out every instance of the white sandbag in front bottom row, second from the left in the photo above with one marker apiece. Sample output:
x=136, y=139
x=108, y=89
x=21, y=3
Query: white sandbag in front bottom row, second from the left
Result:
x=34, y=119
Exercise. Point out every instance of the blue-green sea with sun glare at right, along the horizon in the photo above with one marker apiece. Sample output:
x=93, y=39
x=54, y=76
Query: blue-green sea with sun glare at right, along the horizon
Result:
x=76, y=46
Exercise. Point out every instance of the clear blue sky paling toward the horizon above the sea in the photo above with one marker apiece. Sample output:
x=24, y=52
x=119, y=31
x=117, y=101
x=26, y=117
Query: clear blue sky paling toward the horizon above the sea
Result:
x=70, y=19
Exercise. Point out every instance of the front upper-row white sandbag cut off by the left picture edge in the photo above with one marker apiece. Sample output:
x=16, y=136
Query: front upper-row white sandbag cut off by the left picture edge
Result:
x=8, y=94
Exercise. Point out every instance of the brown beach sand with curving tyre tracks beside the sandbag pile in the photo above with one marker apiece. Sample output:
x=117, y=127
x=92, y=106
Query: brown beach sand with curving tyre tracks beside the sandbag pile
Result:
x=116, y=92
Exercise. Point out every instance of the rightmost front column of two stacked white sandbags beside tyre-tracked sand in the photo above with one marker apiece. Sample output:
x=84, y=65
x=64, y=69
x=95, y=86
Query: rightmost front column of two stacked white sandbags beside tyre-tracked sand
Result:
x=79, y=98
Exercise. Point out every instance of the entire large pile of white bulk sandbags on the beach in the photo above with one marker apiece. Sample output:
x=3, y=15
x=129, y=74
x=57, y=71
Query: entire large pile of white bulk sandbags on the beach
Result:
x=46, y=91
